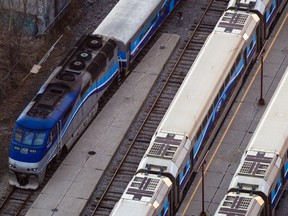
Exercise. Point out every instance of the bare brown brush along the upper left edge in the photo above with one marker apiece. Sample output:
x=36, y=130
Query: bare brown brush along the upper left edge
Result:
x=15, y=58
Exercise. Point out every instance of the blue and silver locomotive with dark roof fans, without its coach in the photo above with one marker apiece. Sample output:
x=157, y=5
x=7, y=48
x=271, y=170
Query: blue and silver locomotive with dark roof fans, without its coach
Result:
x=62, y=109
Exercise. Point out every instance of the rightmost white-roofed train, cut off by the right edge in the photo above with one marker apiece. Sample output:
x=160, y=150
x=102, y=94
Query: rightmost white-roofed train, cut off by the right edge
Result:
x=262, y=175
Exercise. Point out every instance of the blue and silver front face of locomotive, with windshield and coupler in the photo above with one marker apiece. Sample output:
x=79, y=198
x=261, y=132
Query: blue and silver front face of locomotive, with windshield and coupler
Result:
x=26, y=161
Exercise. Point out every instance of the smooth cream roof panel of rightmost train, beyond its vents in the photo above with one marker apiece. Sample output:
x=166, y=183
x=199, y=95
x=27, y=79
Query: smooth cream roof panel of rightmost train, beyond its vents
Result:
x=272, y=132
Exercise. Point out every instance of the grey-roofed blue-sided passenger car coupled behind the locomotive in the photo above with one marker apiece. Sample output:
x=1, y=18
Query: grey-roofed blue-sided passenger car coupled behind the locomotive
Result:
x=132, y=23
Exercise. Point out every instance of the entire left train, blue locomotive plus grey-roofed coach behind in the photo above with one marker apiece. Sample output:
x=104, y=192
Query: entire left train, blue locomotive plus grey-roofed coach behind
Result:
x=68, y=100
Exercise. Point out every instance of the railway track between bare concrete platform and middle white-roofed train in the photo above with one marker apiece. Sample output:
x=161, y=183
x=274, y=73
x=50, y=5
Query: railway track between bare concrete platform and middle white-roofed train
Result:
x=125, y=162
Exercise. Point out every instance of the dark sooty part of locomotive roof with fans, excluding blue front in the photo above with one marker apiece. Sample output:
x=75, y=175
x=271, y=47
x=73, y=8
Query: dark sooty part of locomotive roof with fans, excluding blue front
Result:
x=85, y=61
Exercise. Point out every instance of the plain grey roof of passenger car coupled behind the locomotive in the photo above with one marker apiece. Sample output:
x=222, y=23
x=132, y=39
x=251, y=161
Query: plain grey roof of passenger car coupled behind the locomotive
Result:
x=126, y=18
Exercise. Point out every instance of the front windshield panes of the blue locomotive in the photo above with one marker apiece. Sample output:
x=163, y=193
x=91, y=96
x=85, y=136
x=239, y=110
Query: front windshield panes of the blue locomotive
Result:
x=28, y=137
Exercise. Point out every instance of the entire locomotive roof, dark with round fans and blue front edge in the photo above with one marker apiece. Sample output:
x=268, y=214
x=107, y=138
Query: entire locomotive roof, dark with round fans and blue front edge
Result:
x=59, y=93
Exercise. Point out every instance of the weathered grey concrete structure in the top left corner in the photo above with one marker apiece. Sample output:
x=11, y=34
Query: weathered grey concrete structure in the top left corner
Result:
x=34, y=16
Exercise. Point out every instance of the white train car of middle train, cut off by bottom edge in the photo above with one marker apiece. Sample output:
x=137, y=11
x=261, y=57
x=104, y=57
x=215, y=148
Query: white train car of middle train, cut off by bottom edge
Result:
x=145, y=195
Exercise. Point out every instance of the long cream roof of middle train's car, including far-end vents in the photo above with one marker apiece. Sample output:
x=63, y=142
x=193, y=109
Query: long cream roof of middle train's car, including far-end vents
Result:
x=210, y=68
